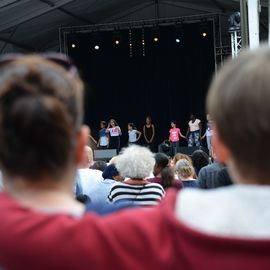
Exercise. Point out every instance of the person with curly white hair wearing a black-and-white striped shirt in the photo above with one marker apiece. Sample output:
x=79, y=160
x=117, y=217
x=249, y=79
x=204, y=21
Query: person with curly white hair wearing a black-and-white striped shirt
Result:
x=136, y=163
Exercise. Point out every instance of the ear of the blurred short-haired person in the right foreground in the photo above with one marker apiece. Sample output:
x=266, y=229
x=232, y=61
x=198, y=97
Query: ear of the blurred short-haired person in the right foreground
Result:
x=220, y=149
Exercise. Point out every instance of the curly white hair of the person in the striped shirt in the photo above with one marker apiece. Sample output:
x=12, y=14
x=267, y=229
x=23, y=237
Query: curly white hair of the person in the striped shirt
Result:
x=135, y=162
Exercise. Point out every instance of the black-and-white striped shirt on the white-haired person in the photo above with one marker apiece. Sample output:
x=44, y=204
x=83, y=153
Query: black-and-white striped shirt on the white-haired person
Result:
x=144, y=195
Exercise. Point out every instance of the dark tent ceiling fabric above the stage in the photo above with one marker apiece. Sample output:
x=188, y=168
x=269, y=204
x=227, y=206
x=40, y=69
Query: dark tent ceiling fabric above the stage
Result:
x=33, y=24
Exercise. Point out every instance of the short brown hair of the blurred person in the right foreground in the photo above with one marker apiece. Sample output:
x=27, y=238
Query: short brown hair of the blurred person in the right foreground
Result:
x=238, y=102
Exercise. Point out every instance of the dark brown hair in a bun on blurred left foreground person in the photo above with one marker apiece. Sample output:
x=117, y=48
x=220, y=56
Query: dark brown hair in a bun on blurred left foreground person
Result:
x=40, y=113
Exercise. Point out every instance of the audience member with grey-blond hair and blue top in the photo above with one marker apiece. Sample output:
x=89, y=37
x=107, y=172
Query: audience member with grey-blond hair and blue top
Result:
x=185, y=171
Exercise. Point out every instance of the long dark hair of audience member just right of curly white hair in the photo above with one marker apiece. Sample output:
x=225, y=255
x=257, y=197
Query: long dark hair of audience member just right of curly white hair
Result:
x=162, y=167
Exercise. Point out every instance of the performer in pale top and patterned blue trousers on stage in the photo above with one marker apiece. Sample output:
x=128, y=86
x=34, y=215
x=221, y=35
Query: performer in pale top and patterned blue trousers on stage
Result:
x=194, y=131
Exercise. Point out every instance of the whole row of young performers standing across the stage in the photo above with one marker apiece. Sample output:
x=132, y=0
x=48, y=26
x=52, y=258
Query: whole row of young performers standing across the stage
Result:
x=109, y=134
